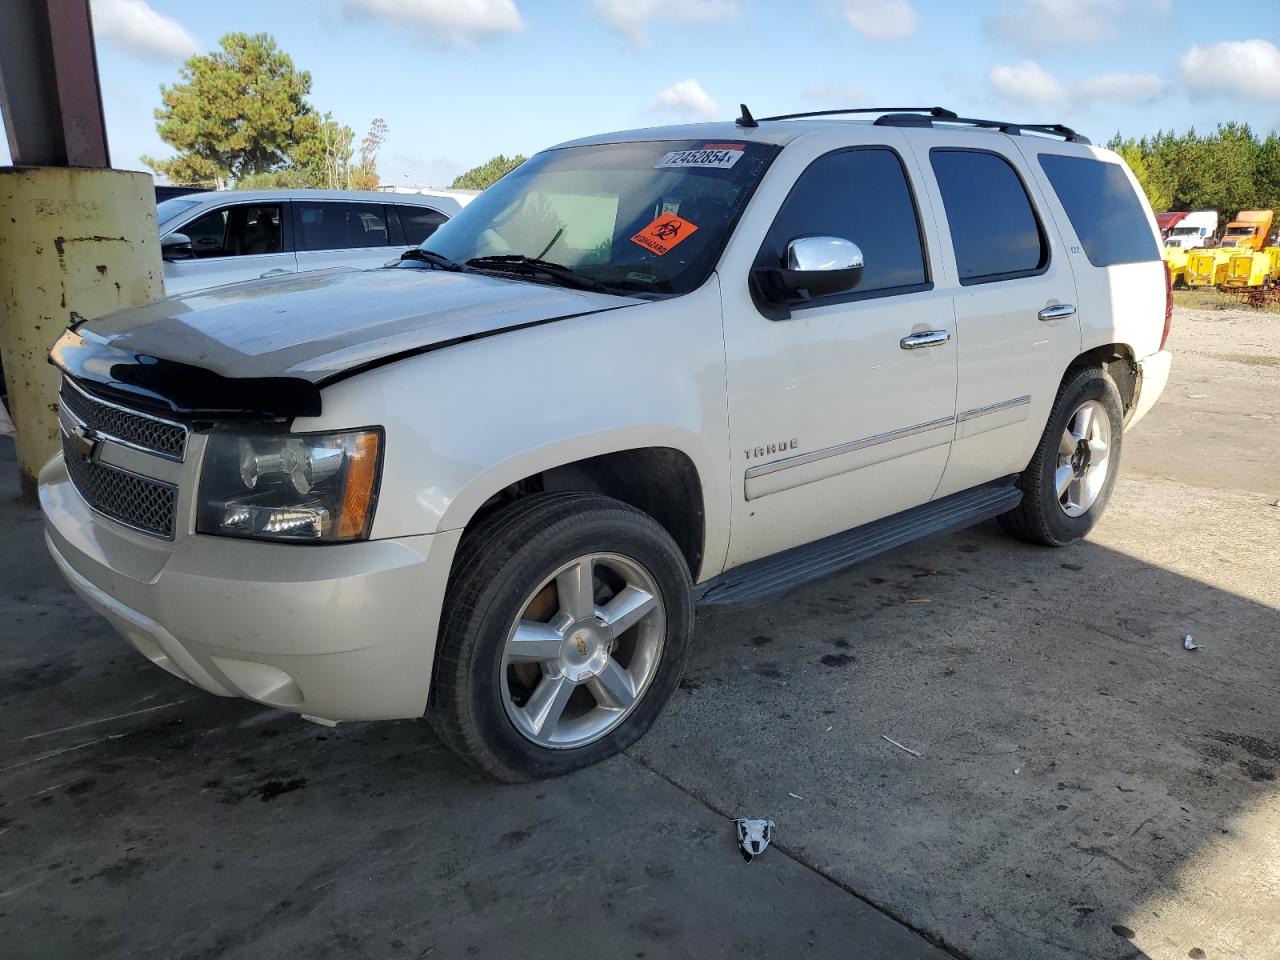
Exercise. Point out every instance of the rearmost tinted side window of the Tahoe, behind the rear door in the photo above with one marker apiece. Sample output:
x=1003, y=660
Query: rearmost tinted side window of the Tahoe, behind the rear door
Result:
x=1105, y=212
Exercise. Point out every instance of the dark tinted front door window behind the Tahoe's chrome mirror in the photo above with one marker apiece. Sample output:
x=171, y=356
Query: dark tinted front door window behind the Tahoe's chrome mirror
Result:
x=862, y=196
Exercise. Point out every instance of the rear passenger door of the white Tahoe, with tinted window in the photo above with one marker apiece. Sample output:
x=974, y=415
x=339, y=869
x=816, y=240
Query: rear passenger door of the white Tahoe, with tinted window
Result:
x=1014, y=294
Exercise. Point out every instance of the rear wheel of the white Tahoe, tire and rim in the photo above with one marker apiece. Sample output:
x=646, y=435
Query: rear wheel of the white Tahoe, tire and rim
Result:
x=1045, y=516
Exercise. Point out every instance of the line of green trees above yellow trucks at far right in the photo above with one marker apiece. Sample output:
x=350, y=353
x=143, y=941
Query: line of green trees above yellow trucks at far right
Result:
x=1229, y=170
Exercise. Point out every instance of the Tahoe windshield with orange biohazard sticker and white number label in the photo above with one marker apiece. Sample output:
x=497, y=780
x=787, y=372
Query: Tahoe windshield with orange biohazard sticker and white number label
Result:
x=643, y=220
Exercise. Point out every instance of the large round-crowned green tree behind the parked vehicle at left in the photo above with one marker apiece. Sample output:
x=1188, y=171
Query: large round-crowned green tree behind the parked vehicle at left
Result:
x=236, y=115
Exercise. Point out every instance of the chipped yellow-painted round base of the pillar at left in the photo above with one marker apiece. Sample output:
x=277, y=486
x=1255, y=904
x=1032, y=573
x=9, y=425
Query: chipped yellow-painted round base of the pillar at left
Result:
x=72, y=241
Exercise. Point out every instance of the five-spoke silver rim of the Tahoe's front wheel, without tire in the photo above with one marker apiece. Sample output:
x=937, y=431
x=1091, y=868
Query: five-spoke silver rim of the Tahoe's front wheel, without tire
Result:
x=584, y=651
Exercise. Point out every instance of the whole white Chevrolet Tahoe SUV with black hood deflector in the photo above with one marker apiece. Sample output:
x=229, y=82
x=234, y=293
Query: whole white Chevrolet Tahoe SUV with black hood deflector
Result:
x=644, y=371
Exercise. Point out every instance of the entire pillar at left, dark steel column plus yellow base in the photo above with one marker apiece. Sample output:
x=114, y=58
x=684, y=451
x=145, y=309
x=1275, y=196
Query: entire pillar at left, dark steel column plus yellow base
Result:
x=75, y=236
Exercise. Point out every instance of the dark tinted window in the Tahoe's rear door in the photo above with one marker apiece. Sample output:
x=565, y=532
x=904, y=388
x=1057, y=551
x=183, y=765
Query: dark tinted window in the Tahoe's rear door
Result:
x=994, y=228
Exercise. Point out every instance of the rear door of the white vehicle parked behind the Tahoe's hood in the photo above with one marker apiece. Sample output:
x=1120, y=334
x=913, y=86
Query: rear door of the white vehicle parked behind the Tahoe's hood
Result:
x=342, y=234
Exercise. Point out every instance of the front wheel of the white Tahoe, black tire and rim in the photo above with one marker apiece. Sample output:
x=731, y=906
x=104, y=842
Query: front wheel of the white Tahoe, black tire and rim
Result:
x=510, y=570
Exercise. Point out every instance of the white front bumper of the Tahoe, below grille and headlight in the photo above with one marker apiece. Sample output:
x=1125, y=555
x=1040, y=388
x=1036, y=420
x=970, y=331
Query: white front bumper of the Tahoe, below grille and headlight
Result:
x=339, y=633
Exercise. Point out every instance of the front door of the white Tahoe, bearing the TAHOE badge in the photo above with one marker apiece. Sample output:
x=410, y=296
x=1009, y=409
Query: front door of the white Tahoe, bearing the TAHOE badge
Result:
x=842, y=410
